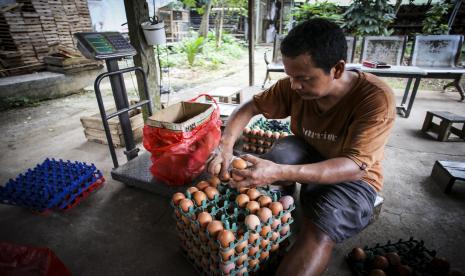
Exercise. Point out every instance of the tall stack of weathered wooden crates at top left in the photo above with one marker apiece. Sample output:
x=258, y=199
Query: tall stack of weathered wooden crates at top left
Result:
x=30, y=28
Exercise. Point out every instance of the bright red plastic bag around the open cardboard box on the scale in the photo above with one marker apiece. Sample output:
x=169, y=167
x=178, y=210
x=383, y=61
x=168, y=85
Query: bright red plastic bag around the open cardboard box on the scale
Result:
x=179, y=157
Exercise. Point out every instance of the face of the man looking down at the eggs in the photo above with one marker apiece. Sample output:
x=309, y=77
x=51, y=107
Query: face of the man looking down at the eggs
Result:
x=307, y=80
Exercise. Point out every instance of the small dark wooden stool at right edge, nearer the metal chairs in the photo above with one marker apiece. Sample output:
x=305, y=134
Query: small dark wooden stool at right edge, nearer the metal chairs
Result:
x=445, y=128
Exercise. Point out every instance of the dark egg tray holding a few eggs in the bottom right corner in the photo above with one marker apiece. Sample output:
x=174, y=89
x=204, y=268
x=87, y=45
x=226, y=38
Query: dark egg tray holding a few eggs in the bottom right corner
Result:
x=412, y=253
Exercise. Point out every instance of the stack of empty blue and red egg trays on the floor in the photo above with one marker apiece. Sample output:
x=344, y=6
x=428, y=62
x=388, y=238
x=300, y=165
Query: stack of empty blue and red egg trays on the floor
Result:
x=51, y=184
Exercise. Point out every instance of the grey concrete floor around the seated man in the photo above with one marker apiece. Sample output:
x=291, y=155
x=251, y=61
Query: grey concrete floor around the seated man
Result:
x=126, y=231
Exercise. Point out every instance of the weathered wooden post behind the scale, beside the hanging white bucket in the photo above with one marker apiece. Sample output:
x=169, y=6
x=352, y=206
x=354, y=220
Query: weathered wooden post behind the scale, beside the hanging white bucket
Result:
x=137, y=12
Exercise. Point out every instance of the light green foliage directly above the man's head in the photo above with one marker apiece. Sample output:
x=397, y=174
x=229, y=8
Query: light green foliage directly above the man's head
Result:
x=324, y=10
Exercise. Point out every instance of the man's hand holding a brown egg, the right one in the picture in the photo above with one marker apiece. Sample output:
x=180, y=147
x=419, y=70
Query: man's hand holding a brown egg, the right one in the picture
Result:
x=250, y=171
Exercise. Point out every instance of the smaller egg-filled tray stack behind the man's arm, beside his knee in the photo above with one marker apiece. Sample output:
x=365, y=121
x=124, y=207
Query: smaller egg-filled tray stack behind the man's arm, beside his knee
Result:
x=263, y=134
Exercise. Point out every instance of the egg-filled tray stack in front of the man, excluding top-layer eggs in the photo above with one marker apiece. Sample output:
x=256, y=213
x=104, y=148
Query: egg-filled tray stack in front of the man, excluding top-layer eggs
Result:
x=206, y=253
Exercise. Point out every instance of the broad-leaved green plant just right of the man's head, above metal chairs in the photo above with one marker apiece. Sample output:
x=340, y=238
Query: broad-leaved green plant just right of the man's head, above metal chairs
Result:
x=369, y=17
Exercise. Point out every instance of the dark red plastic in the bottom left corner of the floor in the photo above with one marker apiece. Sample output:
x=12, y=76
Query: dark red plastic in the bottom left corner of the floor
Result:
x=26, y=260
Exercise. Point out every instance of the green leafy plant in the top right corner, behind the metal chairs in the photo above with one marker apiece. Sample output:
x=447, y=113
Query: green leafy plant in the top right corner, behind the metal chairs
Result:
x=435, y=20
